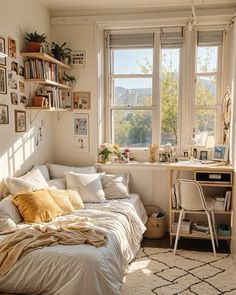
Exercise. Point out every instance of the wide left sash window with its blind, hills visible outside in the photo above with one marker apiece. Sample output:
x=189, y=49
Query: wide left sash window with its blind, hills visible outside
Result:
x=131, y=89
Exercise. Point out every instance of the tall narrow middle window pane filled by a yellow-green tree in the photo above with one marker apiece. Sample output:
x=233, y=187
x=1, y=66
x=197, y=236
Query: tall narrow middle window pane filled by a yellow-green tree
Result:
x=169, y=94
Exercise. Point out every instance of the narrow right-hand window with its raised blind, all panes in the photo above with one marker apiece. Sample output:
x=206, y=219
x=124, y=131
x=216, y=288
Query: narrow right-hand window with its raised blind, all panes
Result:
x=207, y=100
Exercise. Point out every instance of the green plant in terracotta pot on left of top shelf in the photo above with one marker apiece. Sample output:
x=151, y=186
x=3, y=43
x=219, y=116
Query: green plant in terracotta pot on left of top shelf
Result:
x=34, y=41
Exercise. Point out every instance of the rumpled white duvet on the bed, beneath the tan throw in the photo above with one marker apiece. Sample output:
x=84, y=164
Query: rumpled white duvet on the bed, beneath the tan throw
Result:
x=84, y=269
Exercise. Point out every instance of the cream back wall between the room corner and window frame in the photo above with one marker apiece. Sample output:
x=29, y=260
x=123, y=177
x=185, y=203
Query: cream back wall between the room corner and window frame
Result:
x=78, y=37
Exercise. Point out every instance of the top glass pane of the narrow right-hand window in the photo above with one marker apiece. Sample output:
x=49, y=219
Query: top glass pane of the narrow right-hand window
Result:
x=207, y=59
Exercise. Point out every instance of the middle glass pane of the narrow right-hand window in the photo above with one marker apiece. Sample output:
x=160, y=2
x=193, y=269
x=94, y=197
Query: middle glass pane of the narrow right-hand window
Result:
x=206, y=90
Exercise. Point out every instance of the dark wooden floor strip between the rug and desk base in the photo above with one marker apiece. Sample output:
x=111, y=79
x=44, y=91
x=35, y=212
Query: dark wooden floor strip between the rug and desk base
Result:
x=186, y=244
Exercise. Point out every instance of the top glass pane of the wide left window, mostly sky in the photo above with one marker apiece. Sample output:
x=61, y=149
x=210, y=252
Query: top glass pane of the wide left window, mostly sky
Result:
x=132, y=61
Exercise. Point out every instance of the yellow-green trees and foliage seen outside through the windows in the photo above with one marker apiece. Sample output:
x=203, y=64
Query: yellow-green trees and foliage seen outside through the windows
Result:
x=133, y=128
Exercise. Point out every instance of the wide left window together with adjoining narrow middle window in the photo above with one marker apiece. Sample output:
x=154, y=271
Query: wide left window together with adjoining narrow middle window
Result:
x=135, y=97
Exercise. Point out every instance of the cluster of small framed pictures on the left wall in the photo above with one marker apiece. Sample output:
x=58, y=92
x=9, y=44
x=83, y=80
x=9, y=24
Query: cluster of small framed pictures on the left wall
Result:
x=12, y=84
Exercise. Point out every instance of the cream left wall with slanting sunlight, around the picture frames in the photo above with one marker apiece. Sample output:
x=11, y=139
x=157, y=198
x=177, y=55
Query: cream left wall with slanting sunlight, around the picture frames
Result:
x=17, y=150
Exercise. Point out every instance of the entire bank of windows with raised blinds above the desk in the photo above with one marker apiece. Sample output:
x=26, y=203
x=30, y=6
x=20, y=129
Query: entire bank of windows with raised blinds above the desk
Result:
x=146, y=83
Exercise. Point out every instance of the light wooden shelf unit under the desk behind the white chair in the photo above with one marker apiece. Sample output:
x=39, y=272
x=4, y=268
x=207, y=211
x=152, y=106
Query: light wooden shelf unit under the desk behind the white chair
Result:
x=215, y=183
